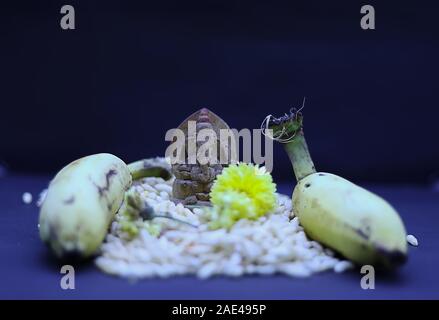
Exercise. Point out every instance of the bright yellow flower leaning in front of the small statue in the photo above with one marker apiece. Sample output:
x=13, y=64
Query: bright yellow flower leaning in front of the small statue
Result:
x=242, y=191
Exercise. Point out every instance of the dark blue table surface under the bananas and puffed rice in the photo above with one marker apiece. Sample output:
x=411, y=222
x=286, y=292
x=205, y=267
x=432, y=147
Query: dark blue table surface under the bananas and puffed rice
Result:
x=27, y=271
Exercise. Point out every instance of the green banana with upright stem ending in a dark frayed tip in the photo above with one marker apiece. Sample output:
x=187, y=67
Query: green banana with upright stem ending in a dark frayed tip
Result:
x=357, y=223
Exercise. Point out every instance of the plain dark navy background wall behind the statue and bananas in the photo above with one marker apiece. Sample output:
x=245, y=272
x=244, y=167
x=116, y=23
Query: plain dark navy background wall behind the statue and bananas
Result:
x=133, y=69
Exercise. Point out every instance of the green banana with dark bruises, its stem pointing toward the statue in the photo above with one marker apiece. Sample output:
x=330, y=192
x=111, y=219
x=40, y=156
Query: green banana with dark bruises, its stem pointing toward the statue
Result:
x=82, y=199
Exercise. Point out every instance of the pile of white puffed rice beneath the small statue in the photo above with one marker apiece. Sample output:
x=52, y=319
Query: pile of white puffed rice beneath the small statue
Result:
x=272, y=244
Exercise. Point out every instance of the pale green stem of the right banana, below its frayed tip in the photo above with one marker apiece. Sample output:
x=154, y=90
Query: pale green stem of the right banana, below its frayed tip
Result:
x=298, y=152
